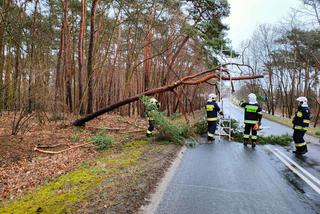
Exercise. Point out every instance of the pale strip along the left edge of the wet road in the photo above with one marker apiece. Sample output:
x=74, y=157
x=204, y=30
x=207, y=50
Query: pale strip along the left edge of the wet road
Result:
x=156, y=197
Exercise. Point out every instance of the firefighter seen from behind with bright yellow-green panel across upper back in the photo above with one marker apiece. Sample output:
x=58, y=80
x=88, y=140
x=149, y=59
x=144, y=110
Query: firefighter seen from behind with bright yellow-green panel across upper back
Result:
x=252, y=119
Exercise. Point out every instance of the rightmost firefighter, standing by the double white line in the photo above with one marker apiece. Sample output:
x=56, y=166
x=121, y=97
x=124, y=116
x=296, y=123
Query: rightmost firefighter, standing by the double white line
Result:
x=301, y=122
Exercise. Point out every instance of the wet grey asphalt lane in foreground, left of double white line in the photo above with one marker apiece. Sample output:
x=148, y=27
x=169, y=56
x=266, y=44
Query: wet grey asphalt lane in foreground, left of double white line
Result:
x=229, y=178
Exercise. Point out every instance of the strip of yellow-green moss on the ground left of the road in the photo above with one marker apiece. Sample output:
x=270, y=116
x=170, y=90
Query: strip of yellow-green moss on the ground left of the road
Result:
x=62, y=194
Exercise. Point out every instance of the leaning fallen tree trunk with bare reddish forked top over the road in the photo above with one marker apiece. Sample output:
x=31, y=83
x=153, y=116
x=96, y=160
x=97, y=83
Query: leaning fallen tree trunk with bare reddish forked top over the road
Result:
x=202, y=77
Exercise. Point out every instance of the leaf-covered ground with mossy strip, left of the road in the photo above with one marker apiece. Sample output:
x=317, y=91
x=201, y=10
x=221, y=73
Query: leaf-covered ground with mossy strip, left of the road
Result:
x=83, y=179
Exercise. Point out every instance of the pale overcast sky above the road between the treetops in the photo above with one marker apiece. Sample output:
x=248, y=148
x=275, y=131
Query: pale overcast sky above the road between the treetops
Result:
x=247, y=14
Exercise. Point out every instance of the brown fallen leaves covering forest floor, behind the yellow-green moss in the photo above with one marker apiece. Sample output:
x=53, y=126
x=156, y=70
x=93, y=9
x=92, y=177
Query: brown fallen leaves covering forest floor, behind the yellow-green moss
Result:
x=22, y=168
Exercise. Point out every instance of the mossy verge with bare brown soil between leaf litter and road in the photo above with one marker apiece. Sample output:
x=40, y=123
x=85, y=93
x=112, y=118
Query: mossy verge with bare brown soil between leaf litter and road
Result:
x=106, y=182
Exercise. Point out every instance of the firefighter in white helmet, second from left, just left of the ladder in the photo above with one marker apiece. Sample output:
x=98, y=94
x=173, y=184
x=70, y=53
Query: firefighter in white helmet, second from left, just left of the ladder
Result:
x=212, y=113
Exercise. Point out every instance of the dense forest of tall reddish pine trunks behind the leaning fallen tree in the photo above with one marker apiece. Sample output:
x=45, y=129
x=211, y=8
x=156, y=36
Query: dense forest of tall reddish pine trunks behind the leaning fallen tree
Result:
x=76, y=57
